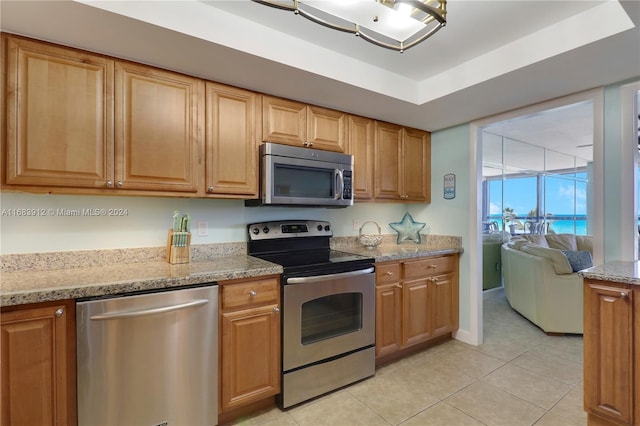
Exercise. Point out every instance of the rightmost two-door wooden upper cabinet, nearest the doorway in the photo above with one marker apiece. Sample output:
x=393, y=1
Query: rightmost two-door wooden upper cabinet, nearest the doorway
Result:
x=403, y=163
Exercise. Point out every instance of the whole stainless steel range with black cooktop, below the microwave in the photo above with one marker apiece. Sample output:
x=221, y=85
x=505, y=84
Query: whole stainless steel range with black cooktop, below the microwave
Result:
x=328, y=308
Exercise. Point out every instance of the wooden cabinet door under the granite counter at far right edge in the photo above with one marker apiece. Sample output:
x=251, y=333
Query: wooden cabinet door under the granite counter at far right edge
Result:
x=608, y=340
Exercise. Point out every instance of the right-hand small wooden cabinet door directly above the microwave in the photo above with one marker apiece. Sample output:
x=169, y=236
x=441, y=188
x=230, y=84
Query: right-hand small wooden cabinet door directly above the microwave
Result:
x=327, y=129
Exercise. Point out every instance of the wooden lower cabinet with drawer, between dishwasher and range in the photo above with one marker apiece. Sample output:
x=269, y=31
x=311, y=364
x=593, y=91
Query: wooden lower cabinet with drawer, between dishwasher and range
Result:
x=250, y=341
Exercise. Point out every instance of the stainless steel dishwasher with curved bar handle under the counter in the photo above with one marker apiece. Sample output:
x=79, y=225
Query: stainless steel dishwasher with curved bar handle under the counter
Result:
x=149, y=359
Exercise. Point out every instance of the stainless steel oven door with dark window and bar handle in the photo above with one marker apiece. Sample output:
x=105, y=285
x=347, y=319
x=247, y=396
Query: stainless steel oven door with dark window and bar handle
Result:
x=327, y=315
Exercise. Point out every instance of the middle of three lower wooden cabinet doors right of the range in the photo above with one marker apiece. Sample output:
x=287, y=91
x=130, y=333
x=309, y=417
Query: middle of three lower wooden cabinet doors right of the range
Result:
x=416, y=317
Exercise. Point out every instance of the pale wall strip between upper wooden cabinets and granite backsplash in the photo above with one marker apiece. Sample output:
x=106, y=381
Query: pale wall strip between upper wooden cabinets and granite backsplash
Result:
x=147, y=220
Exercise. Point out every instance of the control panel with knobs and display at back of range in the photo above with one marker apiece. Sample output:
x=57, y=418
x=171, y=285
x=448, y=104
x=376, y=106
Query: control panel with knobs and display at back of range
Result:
x=289, y=229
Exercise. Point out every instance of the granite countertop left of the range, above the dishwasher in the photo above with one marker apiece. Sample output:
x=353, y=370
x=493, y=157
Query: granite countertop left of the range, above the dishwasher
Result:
x=72, y=283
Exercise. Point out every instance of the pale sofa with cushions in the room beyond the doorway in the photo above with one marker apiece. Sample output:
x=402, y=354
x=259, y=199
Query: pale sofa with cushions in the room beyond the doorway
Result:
x=541, y=281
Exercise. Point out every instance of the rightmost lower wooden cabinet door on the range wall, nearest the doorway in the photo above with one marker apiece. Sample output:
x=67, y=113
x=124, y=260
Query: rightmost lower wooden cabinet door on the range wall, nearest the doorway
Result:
x=444, y=304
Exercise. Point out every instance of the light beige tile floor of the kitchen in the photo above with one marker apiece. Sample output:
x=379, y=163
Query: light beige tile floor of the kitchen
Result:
x=518, y=376
